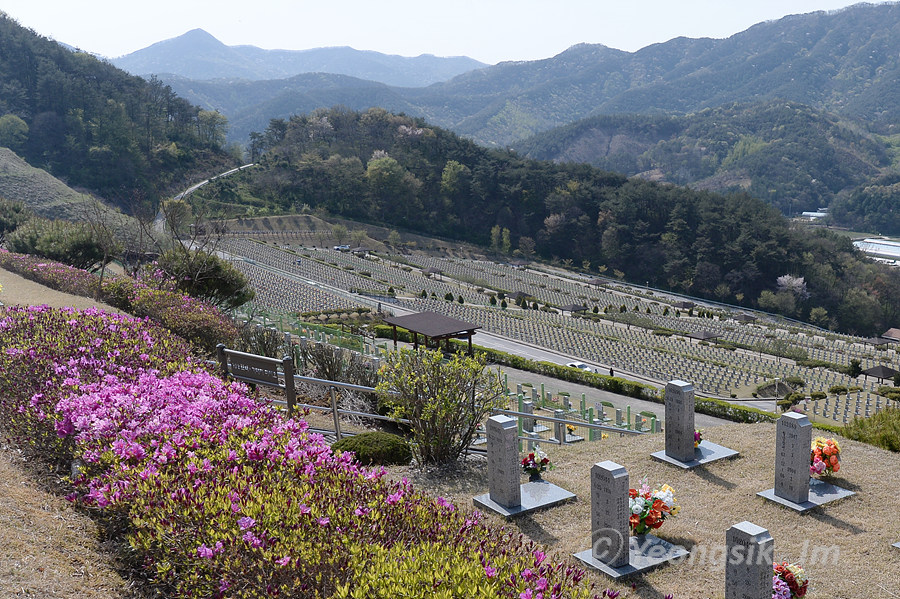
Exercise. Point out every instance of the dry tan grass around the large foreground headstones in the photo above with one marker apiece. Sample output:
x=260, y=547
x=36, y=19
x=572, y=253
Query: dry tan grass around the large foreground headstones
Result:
x=855, y=534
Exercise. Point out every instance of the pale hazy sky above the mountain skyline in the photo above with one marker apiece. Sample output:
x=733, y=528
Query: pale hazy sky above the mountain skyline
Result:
x=487, y=30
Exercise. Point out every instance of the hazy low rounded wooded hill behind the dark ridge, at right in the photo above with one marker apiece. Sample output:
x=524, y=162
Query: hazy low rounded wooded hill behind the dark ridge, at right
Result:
x=793, y=156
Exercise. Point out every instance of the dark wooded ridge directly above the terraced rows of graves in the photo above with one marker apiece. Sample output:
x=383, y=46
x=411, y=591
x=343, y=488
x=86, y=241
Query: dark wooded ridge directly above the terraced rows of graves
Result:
x=399, y=171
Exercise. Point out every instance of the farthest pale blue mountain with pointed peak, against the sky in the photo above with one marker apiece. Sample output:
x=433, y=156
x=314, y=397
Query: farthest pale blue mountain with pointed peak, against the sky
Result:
x=198, y=55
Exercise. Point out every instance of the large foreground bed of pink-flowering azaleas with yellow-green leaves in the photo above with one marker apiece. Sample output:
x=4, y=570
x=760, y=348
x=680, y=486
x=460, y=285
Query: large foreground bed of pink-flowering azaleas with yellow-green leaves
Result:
x=218, y=495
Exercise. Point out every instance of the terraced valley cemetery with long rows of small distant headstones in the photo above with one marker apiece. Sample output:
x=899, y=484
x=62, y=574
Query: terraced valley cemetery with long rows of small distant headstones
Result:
x=649, y=340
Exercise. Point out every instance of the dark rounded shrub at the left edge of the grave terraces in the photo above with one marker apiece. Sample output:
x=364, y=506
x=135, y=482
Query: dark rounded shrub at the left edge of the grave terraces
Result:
x=204, y=275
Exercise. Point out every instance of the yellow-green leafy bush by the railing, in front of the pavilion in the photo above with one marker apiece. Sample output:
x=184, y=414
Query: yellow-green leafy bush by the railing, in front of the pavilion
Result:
x=444, y=400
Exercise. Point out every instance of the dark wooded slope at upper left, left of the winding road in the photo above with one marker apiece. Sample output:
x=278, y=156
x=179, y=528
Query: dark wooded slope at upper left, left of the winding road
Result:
x=97, y=127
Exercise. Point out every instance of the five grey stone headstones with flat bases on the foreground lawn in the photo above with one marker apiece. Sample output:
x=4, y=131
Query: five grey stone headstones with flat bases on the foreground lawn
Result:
x=616, y=553
